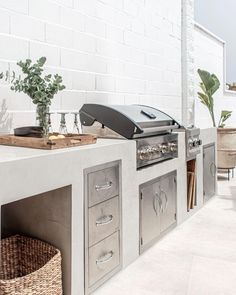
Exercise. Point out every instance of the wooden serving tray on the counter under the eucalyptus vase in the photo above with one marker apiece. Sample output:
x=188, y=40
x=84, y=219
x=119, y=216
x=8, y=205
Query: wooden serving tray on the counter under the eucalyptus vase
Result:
x=70, y=140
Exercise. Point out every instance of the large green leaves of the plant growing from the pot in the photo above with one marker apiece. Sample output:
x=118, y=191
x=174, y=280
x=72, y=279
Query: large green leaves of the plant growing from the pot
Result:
x=209, y=85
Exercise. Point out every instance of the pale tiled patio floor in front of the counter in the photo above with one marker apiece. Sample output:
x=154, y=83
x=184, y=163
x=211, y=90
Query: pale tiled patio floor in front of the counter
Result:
x=197, y=258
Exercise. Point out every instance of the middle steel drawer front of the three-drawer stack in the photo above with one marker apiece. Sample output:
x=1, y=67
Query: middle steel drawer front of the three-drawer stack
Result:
x=103, y=220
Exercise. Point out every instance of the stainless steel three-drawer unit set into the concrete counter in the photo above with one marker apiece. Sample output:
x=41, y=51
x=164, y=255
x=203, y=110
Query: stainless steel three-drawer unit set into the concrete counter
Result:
x=102, y=224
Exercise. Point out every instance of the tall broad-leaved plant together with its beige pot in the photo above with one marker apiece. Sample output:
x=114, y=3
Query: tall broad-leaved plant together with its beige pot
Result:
x=226, y=144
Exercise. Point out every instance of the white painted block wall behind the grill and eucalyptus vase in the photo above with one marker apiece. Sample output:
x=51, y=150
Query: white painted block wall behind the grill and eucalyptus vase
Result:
x=108, y=51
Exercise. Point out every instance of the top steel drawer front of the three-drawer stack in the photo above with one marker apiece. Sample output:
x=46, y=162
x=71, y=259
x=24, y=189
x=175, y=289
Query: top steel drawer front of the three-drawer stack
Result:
x=103, y=185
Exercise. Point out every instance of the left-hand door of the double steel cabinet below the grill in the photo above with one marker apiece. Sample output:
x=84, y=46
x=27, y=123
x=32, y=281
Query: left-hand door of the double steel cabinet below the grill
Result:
x=150, y=210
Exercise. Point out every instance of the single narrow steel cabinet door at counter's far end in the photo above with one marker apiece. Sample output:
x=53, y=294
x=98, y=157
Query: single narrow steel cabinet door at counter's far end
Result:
x=209, y=171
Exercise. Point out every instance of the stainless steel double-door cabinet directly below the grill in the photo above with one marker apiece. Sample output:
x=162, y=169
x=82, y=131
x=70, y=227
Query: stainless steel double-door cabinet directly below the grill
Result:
x=157, y=209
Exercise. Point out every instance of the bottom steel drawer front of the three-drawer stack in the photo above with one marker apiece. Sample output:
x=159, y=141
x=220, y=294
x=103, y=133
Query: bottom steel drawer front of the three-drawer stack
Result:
x=103, y=258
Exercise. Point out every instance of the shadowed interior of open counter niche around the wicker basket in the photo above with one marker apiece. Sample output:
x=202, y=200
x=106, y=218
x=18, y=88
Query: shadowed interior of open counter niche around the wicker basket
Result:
x=46, y=217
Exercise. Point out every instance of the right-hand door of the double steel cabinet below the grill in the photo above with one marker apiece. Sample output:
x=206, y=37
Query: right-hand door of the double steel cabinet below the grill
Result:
x=168, y=195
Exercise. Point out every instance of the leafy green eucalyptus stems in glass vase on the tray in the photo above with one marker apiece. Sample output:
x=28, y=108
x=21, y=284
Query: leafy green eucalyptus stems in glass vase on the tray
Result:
x=39, y=87
